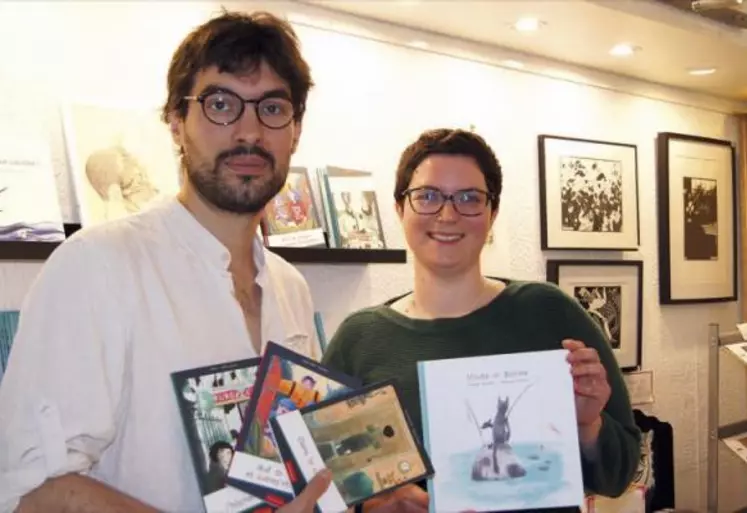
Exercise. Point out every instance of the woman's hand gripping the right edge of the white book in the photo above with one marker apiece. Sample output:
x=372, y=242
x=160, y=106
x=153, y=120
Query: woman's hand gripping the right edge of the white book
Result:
x=592, y=390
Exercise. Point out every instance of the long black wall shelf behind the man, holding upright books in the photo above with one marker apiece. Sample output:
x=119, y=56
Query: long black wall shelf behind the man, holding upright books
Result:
x=36, y=251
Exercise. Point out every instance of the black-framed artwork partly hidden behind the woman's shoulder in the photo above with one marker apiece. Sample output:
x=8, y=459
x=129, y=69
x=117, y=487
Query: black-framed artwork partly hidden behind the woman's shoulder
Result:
x=611, y=292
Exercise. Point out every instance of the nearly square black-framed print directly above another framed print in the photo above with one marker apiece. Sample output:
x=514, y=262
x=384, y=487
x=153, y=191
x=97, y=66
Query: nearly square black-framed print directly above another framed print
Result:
x=588, y=194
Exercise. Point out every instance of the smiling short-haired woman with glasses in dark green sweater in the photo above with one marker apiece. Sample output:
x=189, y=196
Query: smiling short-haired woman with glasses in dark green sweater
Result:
x=447, y=196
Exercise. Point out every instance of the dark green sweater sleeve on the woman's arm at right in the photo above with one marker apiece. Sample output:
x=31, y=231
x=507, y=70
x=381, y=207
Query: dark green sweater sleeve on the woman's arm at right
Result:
x=618, y=447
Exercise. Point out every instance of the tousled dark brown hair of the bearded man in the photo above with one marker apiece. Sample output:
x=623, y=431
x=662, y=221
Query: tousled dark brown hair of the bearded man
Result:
x=238, y=43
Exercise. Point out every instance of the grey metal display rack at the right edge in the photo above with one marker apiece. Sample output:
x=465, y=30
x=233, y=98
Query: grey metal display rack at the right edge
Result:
x=717, y=433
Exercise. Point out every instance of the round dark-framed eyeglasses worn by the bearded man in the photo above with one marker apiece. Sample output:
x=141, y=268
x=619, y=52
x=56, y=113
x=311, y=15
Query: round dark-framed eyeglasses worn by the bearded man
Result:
x=224, y=107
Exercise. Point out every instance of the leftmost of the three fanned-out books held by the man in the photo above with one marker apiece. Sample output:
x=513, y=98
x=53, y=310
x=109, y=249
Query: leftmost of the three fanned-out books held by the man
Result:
x=212, y=402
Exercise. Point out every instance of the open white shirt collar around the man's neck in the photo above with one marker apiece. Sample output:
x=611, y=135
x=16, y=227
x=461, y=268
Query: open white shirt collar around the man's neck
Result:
x=200, y=242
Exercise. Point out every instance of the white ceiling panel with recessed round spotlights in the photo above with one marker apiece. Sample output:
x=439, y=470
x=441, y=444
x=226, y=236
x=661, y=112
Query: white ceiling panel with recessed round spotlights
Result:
x=581, y=32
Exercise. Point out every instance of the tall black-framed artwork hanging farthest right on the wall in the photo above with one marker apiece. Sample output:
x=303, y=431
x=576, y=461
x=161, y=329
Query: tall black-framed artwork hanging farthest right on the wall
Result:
x=697, y=219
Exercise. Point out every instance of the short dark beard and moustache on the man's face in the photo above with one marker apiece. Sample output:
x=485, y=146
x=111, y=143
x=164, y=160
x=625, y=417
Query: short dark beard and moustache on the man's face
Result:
x=248, y=197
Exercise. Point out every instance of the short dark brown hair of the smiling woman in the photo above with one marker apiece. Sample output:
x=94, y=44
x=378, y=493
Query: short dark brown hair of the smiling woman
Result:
x=447, y=141
